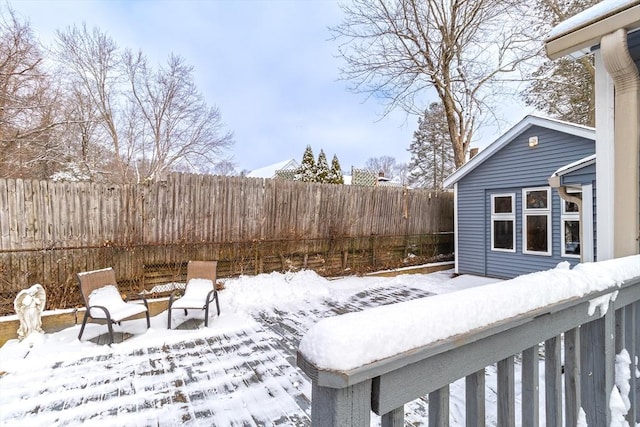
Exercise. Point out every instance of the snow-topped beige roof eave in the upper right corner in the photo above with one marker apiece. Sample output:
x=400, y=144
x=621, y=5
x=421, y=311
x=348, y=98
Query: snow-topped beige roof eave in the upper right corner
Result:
x=580, y=38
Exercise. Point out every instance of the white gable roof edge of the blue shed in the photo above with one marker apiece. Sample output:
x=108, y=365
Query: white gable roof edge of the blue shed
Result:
x=521, y=126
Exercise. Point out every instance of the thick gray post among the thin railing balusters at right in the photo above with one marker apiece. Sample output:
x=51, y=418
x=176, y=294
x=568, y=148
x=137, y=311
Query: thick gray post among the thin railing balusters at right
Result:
x=597, y=360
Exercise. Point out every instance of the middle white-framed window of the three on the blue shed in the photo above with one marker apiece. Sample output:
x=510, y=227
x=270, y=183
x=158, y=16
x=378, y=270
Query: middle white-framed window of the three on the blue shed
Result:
x=536, y=220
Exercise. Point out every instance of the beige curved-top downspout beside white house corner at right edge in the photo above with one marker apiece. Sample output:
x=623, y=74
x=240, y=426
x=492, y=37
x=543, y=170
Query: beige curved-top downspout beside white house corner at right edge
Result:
x=626, y=197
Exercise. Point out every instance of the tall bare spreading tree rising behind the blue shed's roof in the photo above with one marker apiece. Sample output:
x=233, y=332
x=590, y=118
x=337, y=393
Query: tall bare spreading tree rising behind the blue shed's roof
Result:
x=400, y=51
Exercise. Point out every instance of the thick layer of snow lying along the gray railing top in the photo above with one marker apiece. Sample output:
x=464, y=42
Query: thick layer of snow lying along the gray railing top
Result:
x=341, y=343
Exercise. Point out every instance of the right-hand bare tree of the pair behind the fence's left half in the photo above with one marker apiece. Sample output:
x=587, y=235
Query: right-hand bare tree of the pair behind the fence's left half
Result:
x=176, y=127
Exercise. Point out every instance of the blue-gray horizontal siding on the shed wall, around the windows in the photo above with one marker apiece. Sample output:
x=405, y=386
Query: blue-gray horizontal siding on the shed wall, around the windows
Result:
x=509, y=170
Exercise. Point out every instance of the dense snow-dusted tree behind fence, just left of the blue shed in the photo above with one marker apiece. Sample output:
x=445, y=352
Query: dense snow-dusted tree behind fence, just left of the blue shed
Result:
x=432, y=157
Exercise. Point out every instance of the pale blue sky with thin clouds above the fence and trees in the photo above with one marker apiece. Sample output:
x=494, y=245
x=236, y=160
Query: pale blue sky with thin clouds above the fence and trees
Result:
x=269, y=65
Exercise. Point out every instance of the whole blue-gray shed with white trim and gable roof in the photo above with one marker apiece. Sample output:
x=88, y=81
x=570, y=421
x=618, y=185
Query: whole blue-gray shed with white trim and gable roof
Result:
x=509, y=220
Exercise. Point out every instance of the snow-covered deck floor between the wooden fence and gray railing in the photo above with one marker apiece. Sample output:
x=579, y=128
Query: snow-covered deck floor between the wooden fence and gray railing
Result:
x=239, y=371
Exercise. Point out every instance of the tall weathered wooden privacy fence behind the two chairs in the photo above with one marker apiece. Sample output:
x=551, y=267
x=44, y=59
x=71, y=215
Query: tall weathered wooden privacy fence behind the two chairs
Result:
x=51, y=230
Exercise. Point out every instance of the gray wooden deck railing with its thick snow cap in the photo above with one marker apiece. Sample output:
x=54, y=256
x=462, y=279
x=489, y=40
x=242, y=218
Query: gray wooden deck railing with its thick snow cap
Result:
x=393, y=354
